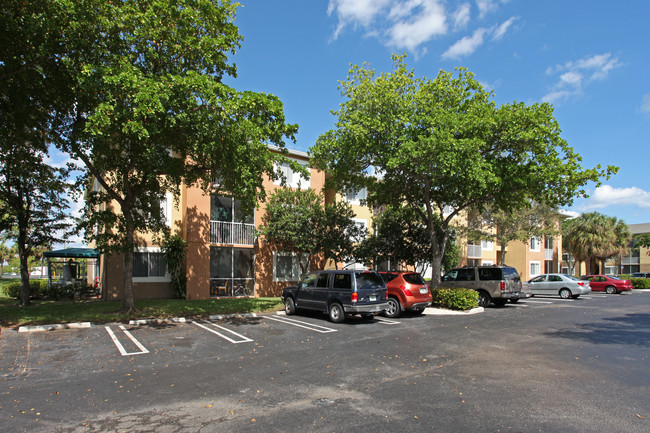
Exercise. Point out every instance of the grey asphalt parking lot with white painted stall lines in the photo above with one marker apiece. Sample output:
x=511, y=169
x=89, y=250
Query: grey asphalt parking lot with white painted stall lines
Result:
x=543, y=364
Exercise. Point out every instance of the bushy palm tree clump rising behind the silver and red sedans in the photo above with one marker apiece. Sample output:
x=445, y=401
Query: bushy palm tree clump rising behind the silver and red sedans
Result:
x=593, y=238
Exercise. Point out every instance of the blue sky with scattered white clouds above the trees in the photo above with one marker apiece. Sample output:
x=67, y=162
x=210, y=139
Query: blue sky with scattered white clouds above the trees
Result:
x=590, y=59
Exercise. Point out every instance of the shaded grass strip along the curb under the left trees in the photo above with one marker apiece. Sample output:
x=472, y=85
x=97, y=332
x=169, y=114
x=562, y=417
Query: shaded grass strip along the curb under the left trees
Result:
x=53, y=312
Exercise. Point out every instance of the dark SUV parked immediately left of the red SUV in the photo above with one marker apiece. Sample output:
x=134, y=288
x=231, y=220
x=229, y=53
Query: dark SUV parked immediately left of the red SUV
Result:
x=338, y=293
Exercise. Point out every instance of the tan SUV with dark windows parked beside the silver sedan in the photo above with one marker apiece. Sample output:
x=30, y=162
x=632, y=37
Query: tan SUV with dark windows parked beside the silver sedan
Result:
x=496, y=284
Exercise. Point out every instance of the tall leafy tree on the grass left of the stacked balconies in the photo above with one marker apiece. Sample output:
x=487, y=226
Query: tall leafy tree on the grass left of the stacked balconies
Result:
x=151, y=112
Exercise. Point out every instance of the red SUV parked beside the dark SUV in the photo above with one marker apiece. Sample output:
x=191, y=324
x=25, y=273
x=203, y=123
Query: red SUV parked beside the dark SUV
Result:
x=407, y=291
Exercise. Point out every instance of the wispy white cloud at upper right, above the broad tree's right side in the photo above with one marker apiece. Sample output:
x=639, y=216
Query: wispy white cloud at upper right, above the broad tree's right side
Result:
x=571, y=80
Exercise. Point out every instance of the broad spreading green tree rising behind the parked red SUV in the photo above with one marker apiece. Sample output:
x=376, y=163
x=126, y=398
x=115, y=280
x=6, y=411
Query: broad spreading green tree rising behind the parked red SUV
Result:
x=442, y=146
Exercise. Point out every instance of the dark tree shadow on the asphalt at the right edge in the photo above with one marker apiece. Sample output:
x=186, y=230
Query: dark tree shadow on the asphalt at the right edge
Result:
x=632, y=329
